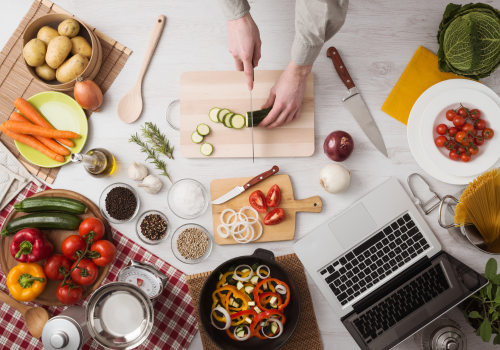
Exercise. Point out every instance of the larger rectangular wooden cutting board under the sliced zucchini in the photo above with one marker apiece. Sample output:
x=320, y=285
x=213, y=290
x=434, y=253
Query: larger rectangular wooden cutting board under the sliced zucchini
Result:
x=202, y=91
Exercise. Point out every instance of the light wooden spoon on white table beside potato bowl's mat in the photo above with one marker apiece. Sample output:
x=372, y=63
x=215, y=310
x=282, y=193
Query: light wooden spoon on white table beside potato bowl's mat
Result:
x=130, y=107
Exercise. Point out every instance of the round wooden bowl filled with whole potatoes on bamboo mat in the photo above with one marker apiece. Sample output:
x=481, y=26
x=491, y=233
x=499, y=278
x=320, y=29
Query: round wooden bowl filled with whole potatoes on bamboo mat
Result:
x=59, y=48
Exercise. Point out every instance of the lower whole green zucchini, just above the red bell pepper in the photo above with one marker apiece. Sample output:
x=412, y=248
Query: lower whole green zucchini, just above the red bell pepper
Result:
x=59, y=221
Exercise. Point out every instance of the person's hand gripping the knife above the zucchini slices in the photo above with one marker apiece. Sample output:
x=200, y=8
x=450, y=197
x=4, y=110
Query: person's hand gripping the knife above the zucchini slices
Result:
x=244, y=43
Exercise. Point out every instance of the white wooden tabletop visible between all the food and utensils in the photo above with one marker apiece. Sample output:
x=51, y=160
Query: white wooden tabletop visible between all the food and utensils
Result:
x=376, y=43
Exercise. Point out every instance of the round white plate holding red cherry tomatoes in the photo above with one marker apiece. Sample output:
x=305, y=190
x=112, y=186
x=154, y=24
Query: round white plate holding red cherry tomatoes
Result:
x=457, y=132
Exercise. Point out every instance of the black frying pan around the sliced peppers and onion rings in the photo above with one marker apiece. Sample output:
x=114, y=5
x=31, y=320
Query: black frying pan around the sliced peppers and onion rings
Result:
x=291, y=312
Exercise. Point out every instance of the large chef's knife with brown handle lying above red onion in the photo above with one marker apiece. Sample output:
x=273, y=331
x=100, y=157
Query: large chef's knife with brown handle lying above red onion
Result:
x=355, y=104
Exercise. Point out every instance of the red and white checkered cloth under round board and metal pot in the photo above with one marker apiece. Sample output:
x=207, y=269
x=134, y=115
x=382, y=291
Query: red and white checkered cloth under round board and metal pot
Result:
x=175, y=321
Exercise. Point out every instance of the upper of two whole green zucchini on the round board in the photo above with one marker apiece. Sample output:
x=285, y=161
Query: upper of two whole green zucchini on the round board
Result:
x=37, y=204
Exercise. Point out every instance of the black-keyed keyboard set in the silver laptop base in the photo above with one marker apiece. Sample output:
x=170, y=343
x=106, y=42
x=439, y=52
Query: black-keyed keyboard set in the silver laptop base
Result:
x=385, y=252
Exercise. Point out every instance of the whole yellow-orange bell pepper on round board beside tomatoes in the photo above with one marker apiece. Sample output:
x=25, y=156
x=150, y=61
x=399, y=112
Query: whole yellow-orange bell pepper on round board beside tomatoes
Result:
x=26, y=281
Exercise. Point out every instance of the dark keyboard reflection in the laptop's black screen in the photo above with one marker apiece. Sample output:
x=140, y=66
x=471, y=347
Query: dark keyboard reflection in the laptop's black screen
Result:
x=382, y=316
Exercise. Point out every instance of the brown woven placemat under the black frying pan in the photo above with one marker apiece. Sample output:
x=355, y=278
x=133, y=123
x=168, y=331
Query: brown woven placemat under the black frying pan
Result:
x=306, y=336
